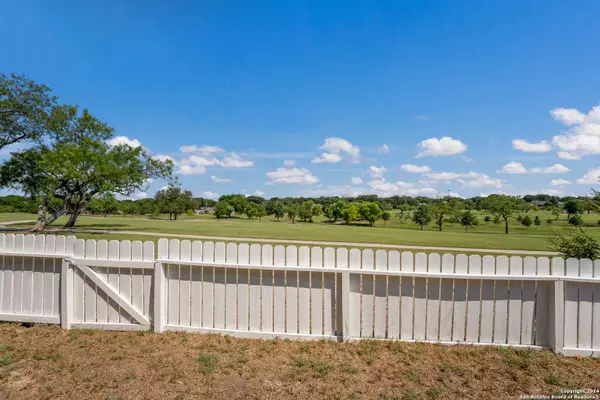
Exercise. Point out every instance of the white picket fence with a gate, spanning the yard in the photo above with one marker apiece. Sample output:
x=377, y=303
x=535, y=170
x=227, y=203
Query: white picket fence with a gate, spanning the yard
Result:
x=266, y=291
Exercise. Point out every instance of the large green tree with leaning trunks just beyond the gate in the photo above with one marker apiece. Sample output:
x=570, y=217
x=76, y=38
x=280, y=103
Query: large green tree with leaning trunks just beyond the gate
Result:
x=76, y=164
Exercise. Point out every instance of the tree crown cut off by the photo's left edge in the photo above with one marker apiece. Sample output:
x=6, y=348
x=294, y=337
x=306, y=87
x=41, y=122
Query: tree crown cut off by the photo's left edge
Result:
x=25, y=109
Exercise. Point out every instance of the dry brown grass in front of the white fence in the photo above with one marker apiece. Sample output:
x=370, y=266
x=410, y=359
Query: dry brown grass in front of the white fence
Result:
x=45, y=362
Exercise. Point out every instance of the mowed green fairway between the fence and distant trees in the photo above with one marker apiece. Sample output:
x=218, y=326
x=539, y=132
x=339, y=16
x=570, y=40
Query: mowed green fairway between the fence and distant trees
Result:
x=485, y=236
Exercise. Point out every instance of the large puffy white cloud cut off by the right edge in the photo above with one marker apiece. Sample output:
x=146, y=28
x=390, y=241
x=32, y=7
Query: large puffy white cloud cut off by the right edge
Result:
x=583, y=136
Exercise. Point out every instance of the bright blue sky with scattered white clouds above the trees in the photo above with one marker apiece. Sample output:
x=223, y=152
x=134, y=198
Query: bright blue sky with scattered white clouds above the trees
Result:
x=299, y=98
